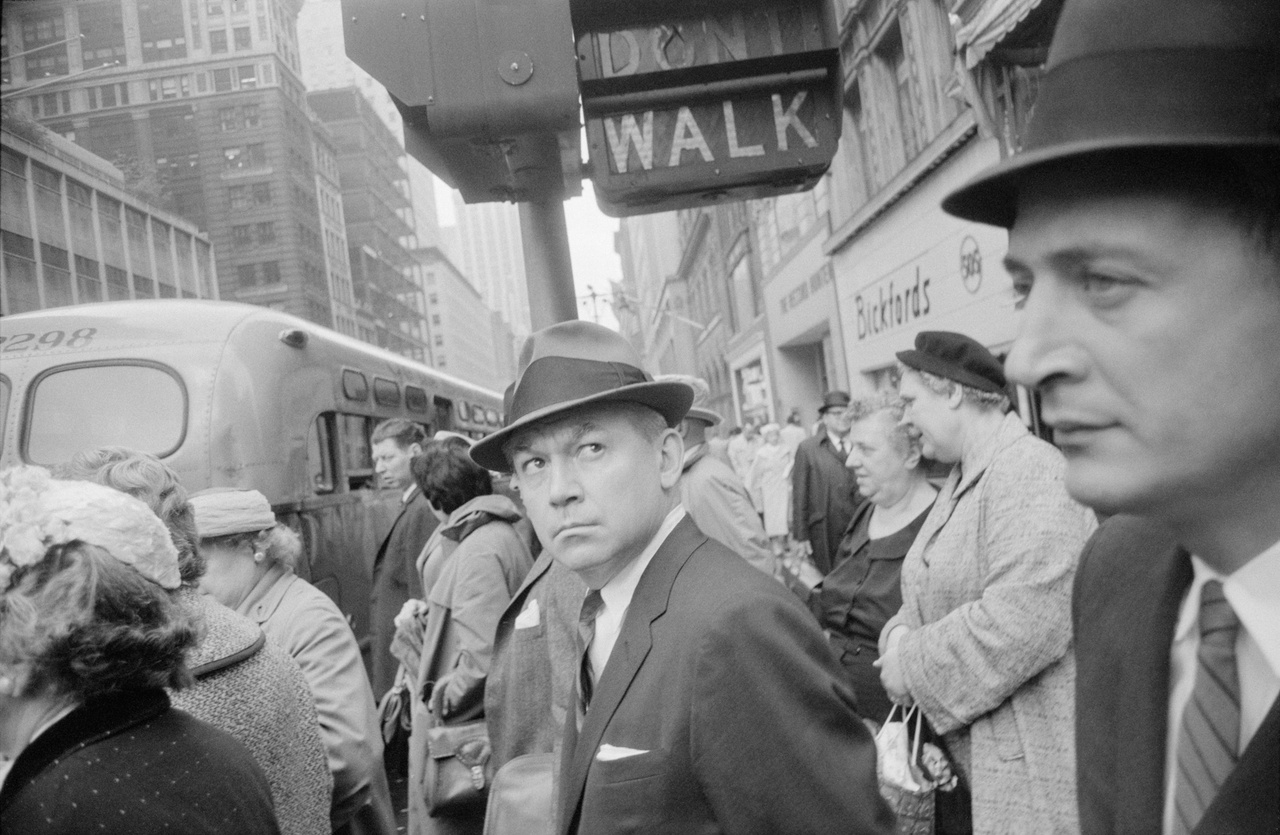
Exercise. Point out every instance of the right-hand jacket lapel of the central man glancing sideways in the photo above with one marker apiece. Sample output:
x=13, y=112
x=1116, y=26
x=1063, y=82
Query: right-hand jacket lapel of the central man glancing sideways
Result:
x=636, y=640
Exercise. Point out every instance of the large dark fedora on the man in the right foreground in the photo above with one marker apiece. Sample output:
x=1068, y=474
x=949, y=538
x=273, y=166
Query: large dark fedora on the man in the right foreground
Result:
x=1128, y=75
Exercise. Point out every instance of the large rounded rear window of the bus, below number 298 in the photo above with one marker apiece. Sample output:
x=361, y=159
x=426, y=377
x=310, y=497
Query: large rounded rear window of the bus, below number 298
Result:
x=98, y=405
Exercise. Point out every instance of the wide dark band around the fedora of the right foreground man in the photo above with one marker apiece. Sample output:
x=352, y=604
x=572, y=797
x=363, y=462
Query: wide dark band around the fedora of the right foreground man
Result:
x=1169, y=97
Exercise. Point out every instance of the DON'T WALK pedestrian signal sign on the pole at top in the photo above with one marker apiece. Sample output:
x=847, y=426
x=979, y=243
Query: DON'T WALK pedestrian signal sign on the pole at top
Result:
x=733, y=104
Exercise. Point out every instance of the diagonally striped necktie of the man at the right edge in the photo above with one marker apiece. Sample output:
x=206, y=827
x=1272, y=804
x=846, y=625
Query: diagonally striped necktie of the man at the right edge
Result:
x=1212, y=723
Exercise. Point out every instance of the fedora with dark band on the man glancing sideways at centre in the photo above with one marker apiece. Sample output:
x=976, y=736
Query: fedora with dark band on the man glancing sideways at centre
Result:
x=577, y=364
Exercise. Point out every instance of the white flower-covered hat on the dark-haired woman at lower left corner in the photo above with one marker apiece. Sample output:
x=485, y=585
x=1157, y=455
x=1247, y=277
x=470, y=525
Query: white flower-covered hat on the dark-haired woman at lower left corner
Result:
x=39, y=513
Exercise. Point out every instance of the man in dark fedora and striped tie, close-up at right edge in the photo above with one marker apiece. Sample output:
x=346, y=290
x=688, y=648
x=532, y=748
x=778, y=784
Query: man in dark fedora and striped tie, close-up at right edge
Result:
x=1145, y=247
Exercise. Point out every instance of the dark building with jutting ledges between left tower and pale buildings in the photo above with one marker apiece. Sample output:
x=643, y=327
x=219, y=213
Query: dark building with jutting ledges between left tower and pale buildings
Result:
x=374, y=197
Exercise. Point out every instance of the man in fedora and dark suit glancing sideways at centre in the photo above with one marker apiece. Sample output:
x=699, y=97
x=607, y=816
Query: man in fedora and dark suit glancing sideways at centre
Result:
x=706, y=699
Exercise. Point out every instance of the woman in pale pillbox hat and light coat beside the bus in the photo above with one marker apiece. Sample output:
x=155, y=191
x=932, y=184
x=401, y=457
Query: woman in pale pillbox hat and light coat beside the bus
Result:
x=252, y=565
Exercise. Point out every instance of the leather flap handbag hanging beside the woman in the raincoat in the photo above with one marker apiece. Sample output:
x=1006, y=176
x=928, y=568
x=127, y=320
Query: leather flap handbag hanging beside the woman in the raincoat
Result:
x=459, y=768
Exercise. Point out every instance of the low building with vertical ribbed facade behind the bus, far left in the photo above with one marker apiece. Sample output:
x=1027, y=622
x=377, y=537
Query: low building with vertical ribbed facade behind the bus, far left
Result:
x=72, y=232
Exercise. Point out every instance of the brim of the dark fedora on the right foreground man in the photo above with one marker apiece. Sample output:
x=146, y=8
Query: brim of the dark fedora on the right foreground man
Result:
x=991, y=197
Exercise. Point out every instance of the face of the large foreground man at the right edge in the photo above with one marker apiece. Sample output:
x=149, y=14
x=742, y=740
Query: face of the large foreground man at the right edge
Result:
x=1153, y=330
